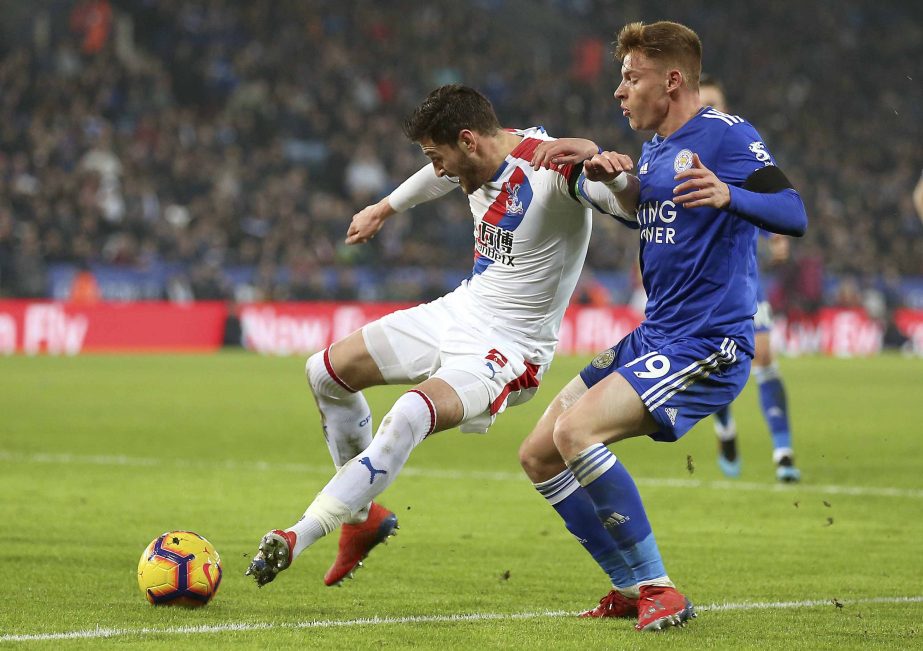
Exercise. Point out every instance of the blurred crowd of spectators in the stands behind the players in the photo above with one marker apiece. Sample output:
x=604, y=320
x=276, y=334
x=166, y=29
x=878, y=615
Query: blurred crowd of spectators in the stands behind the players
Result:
x=221, y=147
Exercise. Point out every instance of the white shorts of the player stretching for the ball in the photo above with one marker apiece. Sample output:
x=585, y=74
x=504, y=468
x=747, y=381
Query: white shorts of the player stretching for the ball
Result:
x=486, y=368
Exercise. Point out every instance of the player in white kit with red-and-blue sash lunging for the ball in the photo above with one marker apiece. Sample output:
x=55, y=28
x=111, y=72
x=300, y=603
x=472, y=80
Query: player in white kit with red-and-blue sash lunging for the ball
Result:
x=470, y=353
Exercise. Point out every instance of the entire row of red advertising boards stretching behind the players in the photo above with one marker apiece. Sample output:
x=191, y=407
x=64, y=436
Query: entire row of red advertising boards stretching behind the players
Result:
x=35, y=327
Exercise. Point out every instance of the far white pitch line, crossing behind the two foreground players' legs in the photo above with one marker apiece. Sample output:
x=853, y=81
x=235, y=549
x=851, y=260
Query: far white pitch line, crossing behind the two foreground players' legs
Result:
x=437, y=473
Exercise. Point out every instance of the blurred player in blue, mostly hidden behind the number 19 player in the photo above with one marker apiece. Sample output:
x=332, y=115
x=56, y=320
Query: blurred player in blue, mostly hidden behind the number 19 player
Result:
x=765, y=370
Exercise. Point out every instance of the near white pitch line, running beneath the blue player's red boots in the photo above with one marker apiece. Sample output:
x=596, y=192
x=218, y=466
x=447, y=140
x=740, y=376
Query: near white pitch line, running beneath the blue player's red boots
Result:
x=99, y=633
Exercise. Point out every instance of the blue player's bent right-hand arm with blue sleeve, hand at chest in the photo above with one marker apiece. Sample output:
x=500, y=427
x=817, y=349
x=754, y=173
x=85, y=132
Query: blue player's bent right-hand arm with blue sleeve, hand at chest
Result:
x=767, y=198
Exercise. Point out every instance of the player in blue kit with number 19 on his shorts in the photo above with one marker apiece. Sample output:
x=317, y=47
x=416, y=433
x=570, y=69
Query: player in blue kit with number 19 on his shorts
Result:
x=705, y=183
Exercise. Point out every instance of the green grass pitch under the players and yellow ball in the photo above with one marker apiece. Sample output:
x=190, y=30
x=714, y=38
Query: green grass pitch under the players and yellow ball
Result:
x=98, y=454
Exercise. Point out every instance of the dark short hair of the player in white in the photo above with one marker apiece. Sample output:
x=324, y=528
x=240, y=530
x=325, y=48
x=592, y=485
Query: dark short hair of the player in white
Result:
x=447, y=111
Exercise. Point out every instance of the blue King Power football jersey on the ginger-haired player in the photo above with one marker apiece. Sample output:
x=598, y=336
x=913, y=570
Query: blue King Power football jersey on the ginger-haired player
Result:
x=699, y=265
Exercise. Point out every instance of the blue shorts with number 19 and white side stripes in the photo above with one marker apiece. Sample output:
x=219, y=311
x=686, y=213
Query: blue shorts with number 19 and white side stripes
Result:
x=681, y=382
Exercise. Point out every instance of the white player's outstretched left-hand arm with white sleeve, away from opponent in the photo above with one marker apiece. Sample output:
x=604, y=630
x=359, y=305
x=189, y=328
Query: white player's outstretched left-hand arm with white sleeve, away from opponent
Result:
x=423, y=186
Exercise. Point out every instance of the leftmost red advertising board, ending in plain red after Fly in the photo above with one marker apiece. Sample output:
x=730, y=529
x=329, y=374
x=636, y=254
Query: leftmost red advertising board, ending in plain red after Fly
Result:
x=66, y=329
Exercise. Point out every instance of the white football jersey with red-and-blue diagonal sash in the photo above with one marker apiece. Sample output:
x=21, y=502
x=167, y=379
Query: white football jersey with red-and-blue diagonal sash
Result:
x=531, y=232
